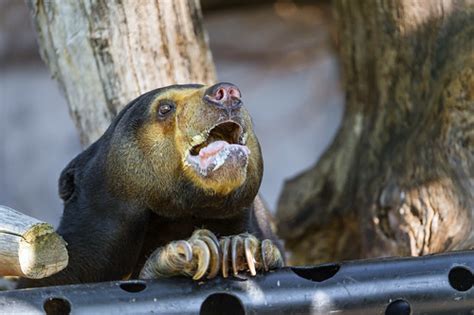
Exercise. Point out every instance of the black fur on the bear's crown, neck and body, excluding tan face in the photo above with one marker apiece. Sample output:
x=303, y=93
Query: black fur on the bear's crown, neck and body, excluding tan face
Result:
x=109, y=238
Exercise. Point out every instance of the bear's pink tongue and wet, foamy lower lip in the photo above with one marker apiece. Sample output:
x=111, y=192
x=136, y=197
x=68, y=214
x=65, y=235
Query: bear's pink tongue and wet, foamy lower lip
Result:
x=219, y=157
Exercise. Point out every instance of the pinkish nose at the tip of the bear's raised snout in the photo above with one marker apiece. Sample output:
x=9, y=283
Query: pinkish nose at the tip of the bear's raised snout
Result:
x=224, y=95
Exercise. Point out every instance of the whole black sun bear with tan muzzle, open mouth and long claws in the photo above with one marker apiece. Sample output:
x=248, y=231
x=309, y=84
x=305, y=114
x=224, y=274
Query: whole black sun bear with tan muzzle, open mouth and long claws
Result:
x=169, y=189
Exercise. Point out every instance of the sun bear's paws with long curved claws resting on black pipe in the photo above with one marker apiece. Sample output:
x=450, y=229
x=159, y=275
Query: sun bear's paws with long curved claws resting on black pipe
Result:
x=204, y=255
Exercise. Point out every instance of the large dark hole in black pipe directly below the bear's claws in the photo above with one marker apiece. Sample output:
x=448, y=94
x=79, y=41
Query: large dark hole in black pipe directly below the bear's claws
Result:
x=222, y=303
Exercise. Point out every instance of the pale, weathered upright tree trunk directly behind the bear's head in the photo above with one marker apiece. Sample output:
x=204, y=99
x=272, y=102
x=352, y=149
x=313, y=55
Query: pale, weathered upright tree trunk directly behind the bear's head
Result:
x=106, y=53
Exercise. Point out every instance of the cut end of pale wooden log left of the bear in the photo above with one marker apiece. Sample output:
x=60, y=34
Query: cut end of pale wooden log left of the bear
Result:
x=29, y=248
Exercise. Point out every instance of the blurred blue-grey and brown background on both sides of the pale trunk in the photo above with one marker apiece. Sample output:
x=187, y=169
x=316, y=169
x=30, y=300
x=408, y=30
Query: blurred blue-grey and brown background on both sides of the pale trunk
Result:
x=280, y=53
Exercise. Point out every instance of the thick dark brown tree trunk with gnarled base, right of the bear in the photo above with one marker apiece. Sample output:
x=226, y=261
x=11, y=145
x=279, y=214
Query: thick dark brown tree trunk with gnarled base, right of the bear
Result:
x=399, y=176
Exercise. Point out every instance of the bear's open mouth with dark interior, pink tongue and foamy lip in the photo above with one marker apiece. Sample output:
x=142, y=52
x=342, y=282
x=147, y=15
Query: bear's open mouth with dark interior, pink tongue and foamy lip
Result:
x=223, y=143
